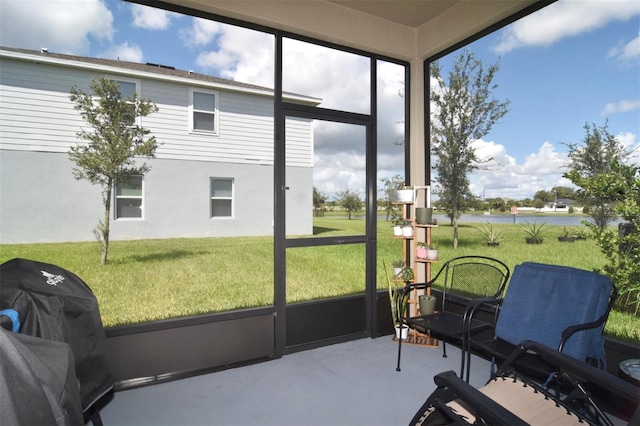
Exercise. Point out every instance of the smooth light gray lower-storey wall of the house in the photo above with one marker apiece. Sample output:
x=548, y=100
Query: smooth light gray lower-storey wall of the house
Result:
x=42, y=202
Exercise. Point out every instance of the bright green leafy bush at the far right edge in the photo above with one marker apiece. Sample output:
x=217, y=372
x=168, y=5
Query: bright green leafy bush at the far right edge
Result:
x=620, y=185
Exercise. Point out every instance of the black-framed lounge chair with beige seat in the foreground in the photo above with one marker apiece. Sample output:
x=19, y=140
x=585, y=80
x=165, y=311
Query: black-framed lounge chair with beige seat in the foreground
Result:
x=510, y=398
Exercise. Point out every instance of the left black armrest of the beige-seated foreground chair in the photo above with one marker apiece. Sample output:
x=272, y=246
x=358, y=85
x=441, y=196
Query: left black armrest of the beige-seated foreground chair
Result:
x=483, y=406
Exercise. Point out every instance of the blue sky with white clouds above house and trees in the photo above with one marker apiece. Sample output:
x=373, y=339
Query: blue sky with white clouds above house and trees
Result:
x=574, y=62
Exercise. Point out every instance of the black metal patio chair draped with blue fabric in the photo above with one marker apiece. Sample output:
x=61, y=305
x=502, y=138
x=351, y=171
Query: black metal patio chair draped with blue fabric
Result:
x=559, y=306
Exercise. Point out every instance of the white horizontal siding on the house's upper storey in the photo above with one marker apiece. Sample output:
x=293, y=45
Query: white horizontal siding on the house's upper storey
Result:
x=37, y=115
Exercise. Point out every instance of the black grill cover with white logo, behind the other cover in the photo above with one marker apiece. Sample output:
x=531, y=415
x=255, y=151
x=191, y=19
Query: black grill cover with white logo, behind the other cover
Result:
x=53, y=303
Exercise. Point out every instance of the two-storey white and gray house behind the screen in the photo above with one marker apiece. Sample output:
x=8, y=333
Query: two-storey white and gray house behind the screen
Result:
x=212, y=175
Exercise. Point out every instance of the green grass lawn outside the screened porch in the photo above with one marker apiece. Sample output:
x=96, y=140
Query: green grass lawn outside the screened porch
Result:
x=149, y=280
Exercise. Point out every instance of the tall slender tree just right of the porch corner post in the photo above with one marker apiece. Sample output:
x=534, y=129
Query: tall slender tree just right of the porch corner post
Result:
x=463, y=110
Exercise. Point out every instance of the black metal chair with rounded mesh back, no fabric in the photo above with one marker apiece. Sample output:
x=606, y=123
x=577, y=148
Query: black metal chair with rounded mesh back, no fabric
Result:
x=464, y=281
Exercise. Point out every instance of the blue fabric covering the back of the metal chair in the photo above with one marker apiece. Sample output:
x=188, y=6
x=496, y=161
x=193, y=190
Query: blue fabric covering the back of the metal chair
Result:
x=542, y=300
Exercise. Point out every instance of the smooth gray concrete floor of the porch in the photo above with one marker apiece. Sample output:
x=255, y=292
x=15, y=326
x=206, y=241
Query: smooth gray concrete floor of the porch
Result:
x=353, y=383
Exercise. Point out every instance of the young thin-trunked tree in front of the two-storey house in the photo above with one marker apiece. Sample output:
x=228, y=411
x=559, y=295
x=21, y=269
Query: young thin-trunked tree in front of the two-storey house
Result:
x=112, y=147
